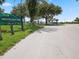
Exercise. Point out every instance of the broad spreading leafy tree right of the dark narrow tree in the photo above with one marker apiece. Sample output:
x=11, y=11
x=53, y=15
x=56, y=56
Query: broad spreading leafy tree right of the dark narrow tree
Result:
x=48, y=10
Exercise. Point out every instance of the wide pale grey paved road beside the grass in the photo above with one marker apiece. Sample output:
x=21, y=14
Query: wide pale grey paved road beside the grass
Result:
x=51, y=42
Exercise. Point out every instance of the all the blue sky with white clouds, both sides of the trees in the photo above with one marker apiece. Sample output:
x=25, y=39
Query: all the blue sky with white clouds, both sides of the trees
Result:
x=70, y=8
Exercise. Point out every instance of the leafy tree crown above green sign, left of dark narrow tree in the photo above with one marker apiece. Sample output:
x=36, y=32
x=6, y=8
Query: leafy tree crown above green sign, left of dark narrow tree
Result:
x=19, y=10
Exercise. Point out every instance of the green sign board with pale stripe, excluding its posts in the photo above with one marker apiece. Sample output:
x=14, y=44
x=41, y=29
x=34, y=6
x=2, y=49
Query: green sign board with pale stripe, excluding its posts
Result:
x=6, y=18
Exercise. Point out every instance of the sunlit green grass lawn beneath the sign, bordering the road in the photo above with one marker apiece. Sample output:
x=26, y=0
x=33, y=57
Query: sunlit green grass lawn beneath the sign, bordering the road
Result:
x=10, y=40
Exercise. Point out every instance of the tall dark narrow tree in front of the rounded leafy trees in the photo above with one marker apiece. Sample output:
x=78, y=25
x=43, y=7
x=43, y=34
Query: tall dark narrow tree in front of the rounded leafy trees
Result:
x=32, y=9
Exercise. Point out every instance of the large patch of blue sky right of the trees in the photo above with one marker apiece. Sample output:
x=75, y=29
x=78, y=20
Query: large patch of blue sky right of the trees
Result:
x=70, y=9
